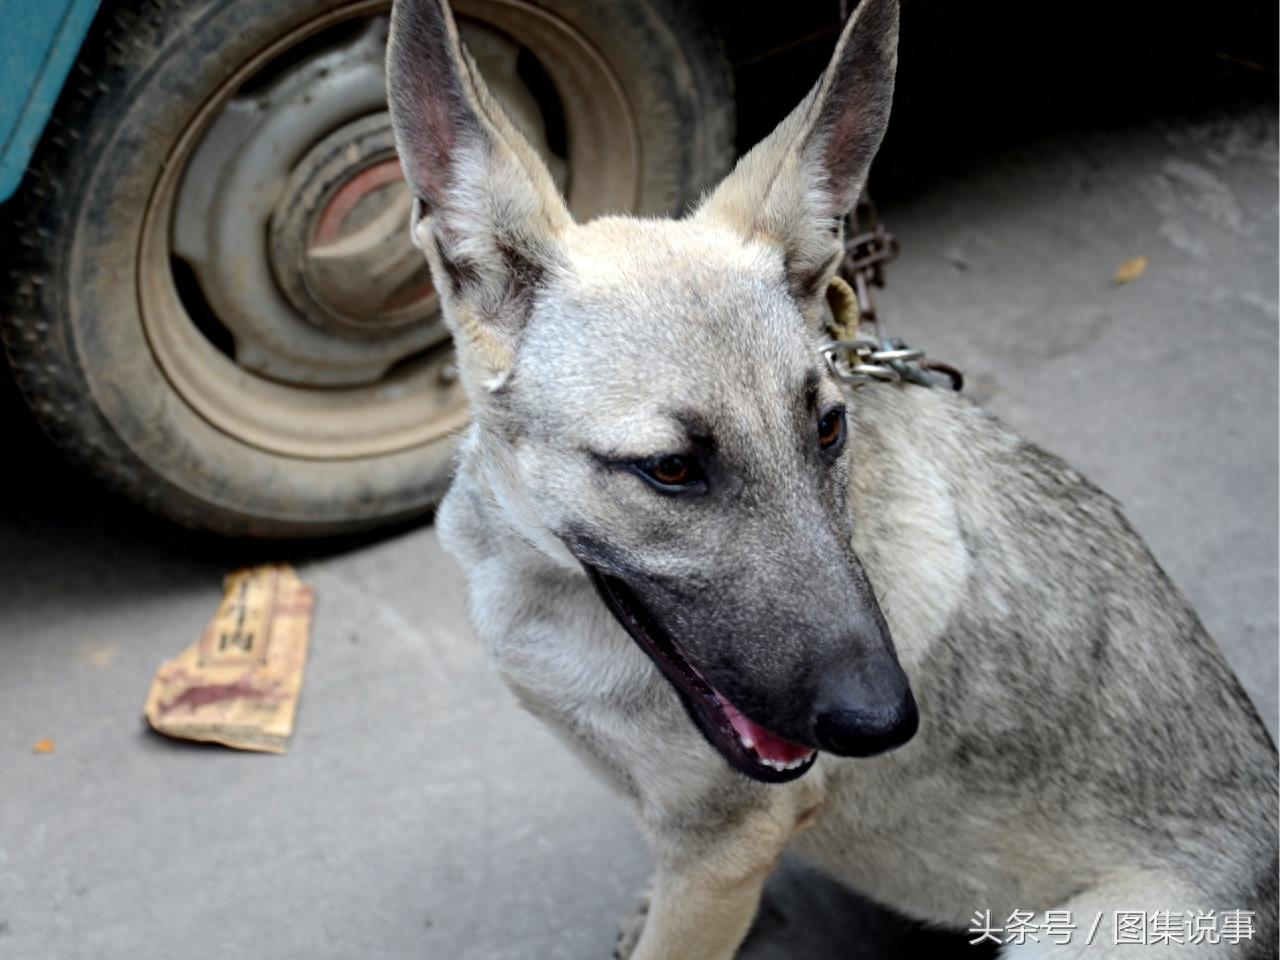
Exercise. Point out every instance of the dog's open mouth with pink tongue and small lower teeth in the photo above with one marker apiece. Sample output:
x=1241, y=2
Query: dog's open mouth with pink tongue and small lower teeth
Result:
x=747, y=746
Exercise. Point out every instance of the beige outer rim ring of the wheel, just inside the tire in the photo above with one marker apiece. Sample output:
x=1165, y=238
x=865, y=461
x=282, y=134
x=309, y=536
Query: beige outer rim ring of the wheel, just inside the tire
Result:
x=420, y=401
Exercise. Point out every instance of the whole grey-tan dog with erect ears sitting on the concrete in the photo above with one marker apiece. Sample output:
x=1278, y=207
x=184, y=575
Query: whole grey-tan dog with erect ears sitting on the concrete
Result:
x=872, y=625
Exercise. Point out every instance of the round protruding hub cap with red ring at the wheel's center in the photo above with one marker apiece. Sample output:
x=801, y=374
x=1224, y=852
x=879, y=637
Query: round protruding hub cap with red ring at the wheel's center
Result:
x=340, y=248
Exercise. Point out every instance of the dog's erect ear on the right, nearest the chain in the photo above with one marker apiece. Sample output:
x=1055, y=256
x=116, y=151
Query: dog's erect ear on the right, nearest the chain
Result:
x=796, y=188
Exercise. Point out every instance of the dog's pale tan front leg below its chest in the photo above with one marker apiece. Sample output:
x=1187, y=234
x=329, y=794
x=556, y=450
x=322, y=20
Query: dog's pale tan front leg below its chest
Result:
x=710, y=879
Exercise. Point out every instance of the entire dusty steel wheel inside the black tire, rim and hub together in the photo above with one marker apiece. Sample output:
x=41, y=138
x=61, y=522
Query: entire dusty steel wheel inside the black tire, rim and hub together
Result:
x=281, y=292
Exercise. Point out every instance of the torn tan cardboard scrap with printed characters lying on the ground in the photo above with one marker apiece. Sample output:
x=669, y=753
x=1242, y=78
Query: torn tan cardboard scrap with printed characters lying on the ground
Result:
x=240, y=684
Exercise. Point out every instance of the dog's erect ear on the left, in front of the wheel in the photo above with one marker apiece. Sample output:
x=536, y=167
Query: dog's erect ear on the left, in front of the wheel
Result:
x=487, y=212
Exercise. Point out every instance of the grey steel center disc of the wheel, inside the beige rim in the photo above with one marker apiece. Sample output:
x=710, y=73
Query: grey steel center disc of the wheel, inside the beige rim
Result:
x=250, y=246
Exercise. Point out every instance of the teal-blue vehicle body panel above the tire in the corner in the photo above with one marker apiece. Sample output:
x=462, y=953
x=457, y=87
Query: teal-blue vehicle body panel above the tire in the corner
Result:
x=39, y=43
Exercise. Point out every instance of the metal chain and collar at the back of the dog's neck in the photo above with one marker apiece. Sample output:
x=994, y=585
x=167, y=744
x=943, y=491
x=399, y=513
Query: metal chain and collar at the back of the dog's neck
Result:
x=853, y=358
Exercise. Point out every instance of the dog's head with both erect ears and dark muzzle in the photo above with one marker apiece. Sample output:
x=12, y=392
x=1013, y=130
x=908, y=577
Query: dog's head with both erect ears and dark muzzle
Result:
x=650, y=401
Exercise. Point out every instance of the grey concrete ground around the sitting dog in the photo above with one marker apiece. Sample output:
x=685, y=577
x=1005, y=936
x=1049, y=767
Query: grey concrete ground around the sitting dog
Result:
x=419, y=813
